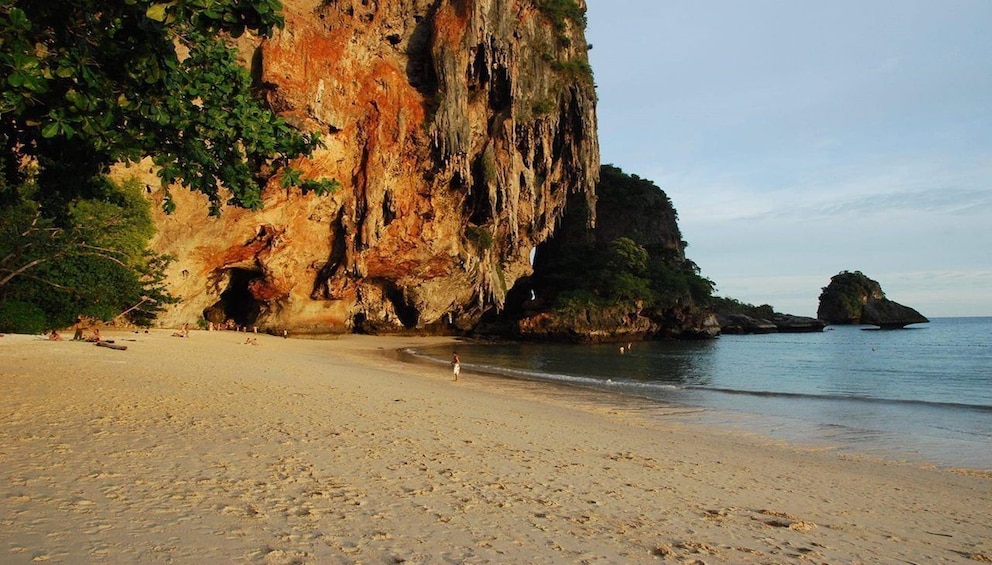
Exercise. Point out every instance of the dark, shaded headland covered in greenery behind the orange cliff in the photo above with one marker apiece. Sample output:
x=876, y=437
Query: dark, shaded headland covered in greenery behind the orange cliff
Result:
x=624, y=278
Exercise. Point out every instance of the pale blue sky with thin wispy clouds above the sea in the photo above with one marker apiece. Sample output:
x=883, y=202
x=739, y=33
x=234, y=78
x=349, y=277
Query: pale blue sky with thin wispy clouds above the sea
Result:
x=798, y=139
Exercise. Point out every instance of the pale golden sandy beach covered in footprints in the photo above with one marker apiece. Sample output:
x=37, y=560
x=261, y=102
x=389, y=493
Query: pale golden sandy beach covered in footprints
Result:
x=208, y=449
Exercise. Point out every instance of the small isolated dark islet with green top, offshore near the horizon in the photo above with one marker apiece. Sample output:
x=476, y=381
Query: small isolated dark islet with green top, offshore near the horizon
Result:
x=853, y=298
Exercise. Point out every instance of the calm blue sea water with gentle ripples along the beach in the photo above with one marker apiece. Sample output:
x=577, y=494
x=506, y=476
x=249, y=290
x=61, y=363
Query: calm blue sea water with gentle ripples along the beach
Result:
x=920, y=394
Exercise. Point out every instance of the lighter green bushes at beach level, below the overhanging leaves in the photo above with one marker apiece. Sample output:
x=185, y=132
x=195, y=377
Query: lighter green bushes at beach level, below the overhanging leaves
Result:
x=93, y=264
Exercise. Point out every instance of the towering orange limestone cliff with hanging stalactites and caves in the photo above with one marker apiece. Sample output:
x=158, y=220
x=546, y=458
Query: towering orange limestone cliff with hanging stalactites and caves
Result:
x=457, y=128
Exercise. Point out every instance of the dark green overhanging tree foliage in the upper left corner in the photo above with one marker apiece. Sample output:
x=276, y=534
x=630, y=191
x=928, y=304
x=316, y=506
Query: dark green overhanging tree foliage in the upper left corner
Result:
x=89, y=83
